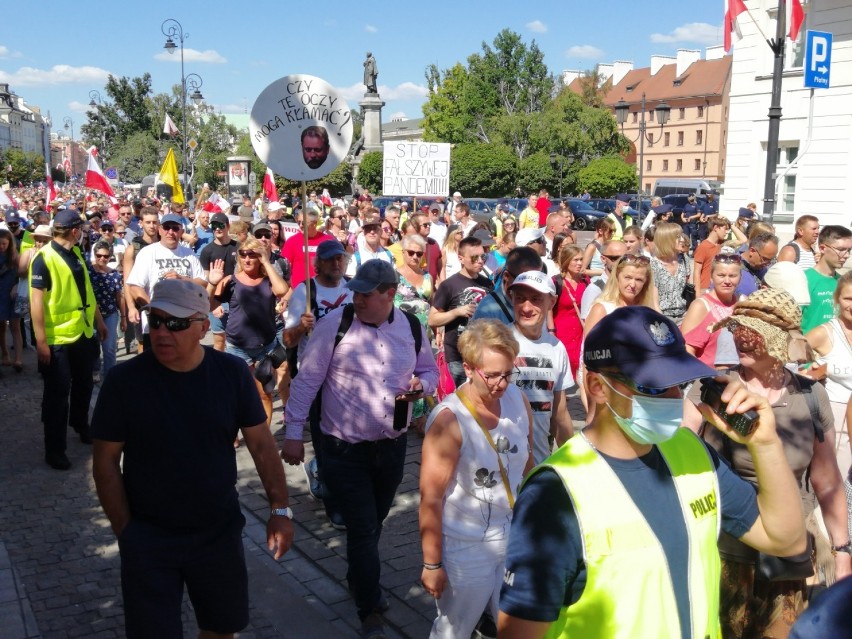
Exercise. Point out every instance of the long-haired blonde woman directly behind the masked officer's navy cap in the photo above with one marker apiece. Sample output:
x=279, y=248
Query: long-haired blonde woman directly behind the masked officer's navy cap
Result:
x=631, y=283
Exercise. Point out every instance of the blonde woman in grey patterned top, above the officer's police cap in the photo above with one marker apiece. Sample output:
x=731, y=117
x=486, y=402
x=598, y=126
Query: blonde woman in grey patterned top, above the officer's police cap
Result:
x=671, y=271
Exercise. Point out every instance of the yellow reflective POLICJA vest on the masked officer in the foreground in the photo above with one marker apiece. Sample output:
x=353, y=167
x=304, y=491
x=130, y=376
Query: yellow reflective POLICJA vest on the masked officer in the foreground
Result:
x=629, y=591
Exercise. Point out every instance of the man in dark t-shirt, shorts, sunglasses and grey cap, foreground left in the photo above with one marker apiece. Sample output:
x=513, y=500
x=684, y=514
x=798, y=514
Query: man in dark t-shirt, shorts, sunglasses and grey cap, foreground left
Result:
x=165, y=472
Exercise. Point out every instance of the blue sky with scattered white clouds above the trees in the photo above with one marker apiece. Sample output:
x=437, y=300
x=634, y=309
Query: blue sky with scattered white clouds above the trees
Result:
x=239, y=48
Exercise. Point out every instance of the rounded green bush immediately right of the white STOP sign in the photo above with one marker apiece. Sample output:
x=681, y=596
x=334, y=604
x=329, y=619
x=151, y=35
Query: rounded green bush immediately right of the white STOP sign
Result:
x=486, y=170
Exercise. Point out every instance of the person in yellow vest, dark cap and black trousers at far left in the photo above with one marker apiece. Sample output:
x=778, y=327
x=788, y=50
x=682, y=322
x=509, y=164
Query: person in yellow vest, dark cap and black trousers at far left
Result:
x=64, y=316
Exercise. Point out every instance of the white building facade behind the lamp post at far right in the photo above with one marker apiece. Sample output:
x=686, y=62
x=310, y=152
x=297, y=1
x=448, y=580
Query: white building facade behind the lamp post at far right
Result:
x=814, y=165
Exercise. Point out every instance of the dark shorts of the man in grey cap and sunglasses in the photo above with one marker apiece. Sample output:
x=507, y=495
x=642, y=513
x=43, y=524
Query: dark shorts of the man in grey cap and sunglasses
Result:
x=156, y=564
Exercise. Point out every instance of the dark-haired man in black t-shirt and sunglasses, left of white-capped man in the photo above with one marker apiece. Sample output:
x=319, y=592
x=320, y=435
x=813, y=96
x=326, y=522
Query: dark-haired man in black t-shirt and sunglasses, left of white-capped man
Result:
x=455, y=302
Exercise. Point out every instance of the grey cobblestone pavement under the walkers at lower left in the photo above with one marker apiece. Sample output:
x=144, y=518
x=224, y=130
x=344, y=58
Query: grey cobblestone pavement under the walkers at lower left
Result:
x=59, y=566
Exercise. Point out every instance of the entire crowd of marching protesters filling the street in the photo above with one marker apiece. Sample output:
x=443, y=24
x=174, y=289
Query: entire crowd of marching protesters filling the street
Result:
x=369, y=323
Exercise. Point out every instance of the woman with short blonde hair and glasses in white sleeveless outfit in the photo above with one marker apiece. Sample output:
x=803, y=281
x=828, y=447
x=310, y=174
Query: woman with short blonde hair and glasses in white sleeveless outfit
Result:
x=475, y=454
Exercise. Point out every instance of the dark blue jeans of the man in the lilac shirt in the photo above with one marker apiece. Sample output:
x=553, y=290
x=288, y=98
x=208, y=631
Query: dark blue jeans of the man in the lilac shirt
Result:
x=363, y=478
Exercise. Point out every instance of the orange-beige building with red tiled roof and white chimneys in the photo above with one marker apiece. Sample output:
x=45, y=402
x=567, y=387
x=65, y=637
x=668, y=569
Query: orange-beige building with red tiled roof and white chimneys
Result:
x=691, y=144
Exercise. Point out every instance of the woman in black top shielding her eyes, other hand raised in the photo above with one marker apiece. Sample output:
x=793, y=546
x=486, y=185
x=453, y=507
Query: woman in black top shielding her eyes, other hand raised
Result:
x=252, y=292
